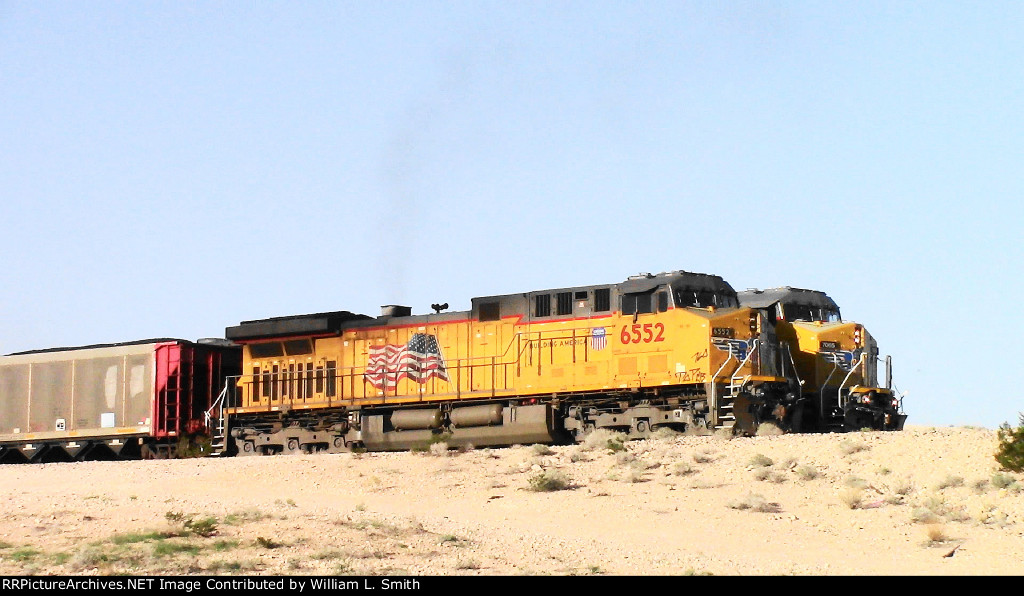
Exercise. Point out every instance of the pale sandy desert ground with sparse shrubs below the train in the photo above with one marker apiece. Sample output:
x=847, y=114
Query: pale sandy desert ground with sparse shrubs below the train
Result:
x=922, y=502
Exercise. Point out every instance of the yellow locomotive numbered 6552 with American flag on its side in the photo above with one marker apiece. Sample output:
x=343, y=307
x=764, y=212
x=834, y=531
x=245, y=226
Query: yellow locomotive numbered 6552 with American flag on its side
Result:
x=672, y=350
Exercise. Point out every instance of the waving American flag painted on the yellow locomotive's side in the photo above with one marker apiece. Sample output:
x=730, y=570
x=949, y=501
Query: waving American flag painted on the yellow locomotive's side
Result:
x=420, y=360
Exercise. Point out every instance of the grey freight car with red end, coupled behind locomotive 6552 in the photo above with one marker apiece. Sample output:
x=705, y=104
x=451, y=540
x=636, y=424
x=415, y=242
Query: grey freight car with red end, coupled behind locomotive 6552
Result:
x=132, y=400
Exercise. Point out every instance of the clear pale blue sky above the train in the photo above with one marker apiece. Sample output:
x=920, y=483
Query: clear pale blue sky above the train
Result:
x=174, y=168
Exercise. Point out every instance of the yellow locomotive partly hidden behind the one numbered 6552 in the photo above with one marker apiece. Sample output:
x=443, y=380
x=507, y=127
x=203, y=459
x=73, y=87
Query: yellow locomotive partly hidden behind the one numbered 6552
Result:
x=836, y=363
